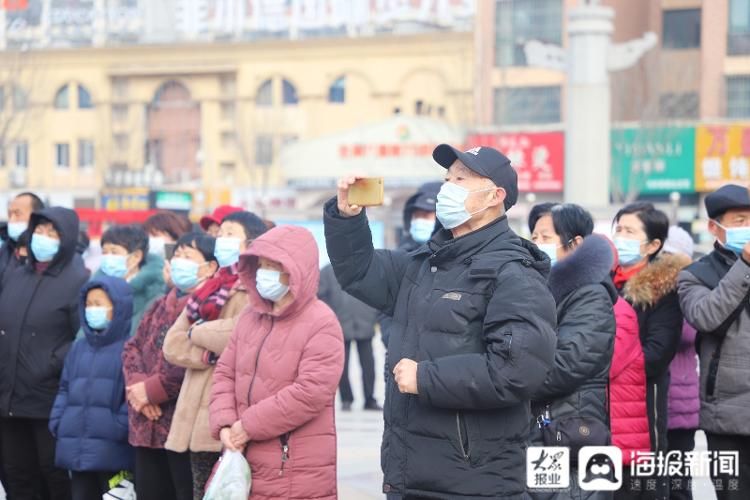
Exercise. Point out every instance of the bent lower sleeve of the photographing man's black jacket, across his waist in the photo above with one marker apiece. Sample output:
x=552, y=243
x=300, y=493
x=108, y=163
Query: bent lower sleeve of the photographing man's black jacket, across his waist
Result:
x=519, y=331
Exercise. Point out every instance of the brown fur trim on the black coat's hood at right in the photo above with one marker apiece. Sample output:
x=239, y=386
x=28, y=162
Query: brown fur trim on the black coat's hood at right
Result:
x=657, y=280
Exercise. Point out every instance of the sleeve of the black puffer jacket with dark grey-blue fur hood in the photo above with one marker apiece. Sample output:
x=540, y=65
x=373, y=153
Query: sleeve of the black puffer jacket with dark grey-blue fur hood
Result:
x=585, y=340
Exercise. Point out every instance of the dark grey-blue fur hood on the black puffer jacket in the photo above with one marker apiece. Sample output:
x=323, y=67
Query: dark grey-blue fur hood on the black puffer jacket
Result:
x=588, y=265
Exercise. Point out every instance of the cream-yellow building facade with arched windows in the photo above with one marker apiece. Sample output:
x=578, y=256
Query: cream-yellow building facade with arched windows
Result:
x=211, y=115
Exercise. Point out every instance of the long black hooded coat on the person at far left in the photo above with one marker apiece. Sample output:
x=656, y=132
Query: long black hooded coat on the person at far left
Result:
x=38, y=321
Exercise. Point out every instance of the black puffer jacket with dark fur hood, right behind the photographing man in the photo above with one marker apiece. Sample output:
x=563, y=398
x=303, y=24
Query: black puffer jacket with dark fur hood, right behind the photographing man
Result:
x=577, y=384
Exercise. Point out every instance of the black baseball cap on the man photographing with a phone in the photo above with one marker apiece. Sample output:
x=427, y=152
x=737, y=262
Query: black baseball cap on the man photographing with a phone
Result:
x=485, y=161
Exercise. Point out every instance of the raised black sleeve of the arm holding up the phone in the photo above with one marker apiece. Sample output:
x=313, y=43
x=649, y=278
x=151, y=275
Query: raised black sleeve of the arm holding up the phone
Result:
x=372, y=276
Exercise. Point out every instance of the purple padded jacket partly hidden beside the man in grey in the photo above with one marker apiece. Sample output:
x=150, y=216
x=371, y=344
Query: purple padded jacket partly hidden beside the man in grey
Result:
x=684, y=404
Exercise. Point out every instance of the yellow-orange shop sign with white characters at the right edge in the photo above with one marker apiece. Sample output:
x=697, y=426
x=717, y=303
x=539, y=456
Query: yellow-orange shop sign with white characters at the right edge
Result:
x=722, y=155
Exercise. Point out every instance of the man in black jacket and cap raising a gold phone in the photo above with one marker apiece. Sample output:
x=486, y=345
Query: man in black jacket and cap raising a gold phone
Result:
x=472, y=336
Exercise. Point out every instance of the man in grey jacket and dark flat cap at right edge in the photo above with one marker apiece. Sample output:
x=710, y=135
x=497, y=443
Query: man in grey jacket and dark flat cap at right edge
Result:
x=714, y=299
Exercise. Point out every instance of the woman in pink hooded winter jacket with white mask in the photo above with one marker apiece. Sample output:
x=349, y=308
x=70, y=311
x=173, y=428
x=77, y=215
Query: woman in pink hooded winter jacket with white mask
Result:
x=275, y=383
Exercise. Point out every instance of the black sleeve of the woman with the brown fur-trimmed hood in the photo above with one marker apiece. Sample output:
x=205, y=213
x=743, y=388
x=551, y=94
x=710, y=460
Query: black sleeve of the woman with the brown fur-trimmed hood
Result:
x=660, y=335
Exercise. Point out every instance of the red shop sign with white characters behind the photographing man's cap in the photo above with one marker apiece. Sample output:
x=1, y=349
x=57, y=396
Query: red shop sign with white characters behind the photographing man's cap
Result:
x=538, y=157
